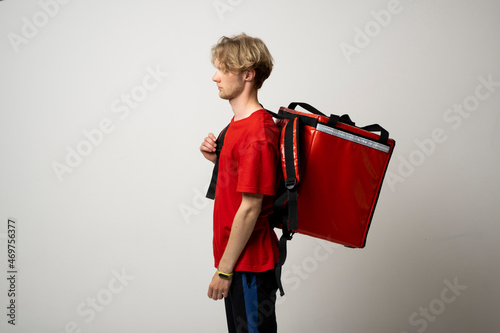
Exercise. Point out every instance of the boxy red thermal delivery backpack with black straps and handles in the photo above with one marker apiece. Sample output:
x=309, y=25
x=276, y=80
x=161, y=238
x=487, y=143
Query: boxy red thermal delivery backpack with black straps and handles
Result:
x=332, y=173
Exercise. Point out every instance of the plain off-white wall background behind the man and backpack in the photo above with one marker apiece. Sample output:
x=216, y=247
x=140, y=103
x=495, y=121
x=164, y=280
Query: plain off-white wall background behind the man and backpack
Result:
x=133, y=205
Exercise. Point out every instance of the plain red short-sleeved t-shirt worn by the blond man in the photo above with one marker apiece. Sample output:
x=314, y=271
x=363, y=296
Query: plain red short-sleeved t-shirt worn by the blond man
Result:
x=247, y=163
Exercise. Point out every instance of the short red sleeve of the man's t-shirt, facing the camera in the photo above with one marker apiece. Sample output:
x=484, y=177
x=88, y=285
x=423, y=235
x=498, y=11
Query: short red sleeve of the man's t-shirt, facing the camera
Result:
x=257, y=169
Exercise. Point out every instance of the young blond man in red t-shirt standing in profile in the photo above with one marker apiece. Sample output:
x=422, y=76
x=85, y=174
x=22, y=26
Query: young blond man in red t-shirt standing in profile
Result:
x=245, y=246
